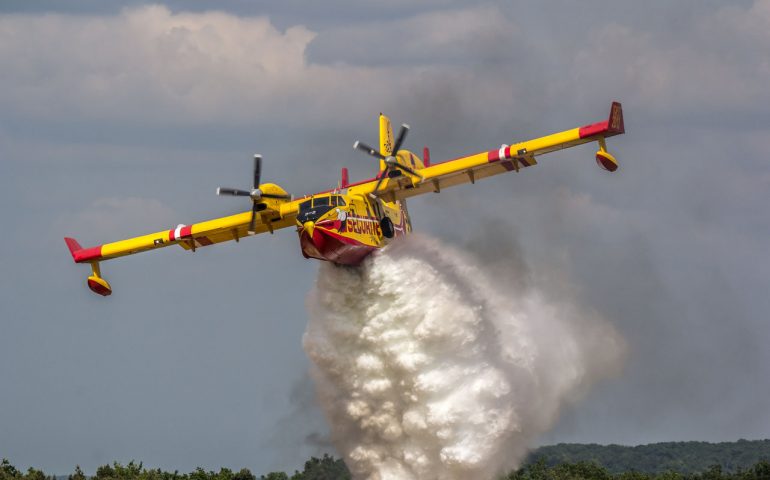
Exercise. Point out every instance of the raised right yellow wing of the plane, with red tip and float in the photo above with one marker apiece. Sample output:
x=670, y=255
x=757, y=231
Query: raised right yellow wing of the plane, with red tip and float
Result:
x=506, y=158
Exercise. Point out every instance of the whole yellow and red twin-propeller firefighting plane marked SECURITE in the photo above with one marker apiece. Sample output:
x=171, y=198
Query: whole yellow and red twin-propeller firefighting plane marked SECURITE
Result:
x=346, y=224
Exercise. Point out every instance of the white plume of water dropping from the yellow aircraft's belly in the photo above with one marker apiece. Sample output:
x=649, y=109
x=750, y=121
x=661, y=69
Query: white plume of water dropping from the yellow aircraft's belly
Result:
x=428, y=369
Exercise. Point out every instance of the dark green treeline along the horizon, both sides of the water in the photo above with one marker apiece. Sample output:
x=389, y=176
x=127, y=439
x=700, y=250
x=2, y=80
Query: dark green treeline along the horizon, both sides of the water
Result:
x=741, y=460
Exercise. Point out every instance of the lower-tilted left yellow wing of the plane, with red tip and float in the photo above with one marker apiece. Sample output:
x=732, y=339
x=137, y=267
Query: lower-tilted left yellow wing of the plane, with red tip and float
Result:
x=190, y=237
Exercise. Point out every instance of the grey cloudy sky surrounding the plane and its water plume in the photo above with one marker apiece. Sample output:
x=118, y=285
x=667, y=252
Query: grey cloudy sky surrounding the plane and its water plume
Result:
x=121, y=118
